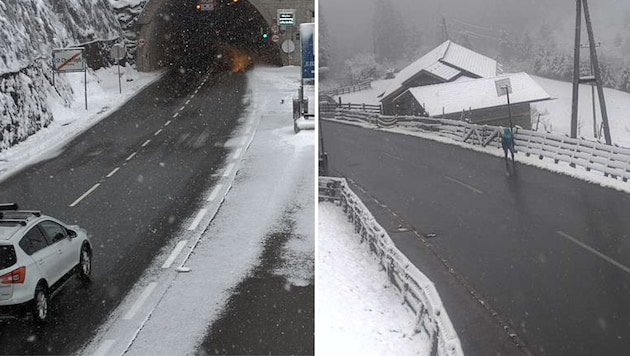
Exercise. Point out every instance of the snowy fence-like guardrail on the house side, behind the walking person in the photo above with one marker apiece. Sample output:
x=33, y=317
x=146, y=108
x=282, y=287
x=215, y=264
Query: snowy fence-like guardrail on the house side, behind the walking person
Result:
x=612, y=161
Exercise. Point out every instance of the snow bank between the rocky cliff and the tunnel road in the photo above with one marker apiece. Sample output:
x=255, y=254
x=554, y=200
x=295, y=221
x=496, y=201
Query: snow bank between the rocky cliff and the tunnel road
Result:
x=71, y=119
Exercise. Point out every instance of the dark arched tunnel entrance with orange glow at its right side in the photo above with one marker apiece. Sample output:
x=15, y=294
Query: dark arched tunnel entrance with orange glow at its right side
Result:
x=176, y=35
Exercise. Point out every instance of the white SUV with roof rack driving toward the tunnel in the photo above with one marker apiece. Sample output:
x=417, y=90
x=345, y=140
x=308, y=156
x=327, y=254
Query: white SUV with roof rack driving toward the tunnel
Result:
x=38, y=255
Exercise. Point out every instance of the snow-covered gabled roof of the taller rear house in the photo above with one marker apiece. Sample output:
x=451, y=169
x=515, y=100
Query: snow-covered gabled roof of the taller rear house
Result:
x=446, y=61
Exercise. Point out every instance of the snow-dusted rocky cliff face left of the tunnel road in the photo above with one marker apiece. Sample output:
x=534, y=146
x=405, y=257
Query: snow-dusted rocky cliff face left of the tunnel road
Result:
x=29, y=30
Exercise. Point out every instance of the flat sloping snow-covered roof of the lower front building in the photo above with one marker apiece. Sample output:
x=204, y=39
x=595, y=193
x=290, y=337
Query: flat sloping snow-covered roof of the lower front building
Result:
x=477, y=93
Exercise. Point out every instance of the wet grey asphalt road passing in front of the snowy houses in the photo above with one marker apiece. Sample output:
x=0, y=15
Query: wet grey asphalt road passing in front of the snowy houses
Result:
x=543, y=250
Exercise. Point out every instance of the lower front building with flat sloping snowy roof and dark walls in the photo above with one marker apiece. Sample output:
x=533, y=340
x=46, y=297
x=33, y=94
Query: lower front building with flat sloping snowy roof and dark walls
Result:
x=478, y=101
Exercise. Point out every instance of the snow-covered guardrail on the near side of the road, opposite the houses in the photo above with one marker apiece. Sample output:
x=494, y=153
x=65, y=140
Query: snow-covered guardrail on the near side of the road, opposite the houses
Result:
x=417, y=291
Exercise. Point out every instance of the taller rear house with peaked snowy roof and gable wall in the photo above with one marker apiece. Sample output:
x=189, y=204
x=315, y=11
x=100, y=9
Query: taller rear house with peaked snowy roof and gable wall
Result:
x=446, y=63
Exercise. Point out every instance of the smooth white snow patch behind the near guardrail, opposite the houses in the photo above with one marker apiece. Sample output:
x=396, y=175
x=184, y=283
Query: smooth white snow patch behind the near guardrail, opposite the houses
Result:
x=358, y=312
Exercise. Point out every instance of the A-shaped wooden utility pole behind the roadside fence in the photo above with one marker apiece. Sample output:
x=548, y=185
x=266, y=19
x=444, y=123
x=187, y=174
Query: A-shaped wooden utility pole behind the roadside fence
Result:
x=577, y=80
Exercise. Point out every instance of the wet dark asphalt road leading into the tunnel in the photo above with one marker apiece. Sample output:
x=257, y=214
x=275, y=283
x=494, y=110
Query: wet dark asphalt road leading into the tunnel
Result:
x=138, y=208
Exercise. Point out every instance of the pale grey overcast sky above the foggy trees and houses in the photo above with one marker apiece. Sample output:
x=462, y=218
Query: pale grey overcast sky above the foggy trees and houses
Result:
x=349, y=21
